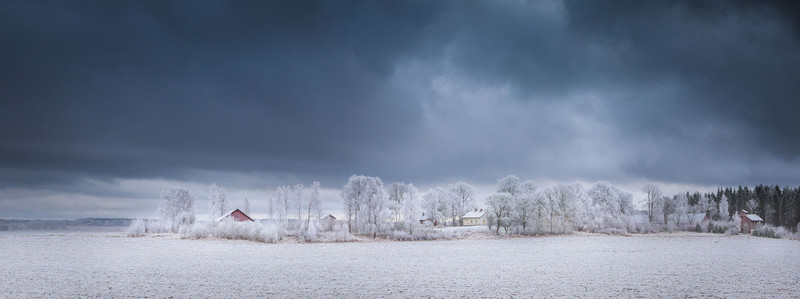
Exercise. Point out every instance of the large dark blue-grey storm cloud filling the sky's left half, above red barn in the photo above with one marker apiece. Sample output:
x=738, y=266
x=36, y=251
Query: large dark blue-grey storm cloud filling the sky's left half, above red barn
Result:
x=125, y=89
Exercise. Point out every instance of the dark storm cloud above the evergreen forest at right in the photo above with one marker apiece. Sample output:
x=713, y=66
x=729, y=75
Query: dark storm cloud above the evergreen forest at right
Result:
x=731, y=67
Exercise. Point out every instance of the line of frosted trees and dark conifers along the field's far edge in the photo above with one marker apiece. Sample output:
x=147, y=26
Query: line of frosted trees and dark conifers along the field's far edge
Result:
x=516, y=207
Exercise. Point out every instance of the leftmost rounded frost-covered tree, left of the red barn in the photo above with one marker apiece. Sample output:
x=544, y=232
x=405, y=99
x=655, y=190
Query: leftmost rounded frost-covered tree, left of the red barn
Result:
x=177, y=208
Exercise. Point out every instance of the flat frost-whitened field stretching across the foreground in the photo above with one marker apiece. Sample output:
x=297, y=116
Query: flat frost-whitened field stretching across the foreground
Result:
x=666, y=265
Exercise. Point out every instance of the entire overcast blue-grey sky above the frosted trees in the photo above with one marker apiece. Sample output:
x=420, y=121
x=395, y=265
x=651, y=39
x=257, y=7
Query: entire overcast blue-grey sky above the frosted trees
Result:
x=106, y=103
